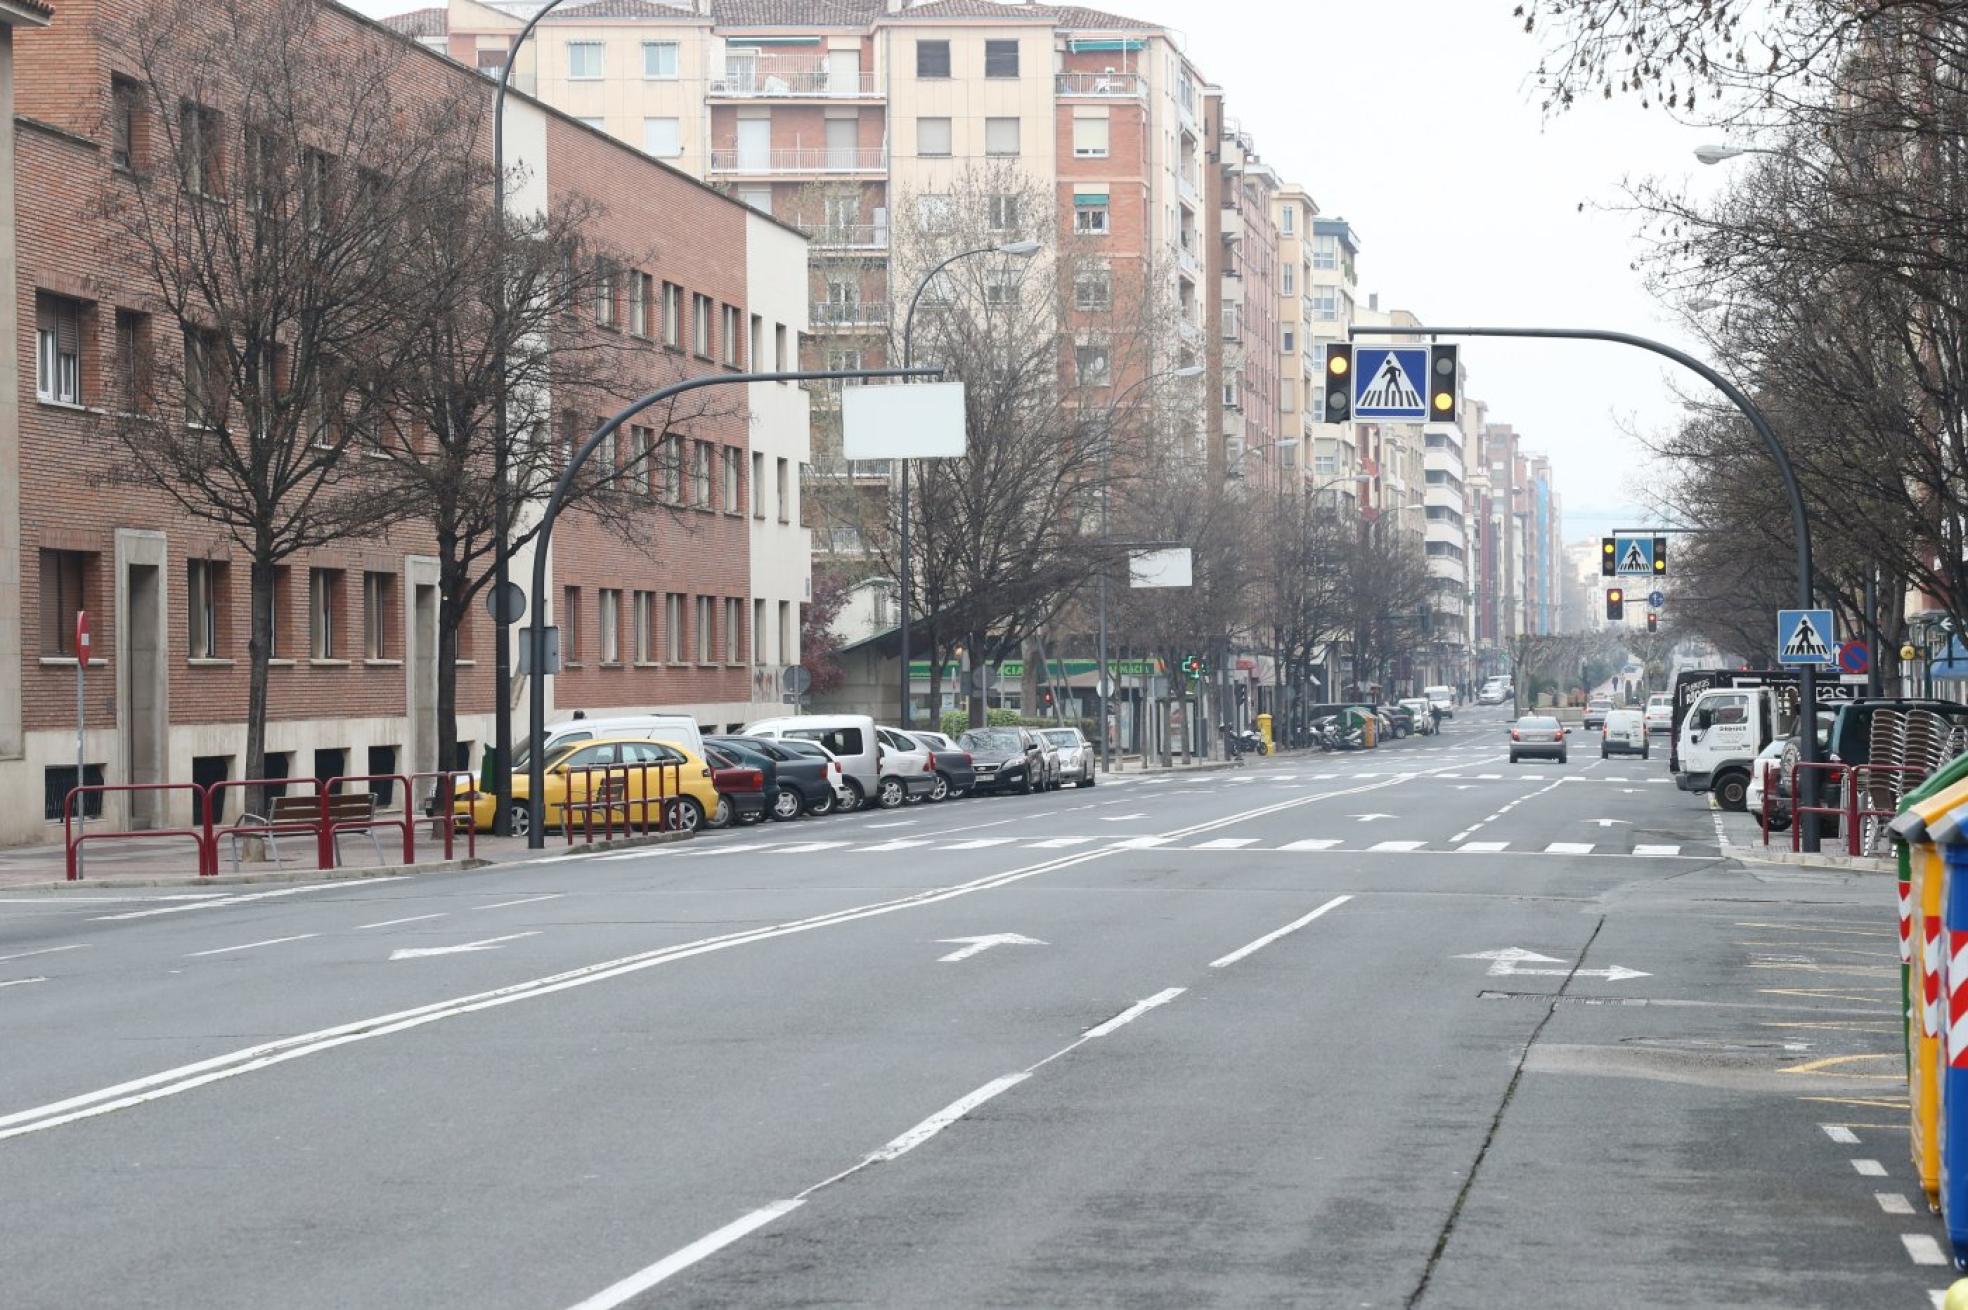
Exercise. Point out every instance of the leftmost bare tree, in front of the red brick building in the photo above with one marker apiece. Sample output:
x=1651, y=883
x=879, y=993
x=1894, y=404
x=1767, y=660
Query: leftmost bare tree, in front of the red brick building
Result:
x=284, y=168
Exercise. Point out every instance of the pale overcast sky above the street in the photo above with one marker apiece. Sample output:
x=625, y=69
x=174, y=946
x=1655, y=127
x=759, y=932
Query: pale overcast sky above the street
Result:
x=1418, y=123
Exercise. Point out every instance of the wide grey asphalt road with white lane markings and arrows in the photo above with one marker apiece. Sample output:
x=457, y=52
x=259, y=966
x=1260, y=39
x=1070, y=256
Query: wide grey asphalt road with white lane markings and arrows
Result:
x=1384, y=1030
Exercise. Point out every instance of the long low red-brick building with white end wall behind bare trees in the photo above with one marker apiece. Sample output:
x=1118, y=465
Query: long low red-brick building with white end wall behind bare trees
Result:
x=668, y=621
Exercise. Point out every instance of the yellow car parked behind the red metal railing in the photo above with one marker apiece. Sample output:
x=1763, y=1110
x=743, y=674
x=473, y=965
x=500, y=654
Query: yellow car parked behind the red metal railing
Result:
x=650, y=768
